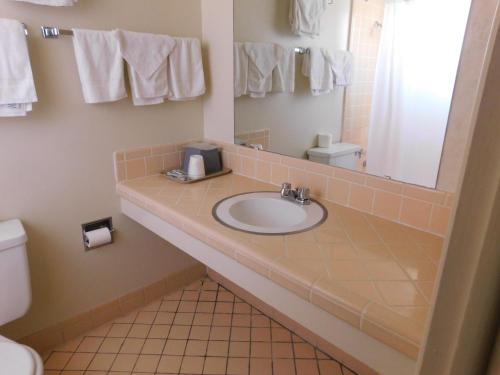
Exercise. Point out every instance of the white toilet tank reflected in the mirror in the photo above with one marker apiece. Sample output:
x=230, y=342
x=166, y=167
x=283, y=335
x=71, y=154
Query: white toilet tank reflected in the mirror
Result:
x=344, y=155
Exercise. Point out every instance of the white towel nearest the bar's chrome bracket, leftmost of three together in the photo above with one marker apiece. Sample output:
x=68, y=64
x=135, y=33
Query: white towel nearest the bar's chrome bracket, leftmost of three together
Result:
x=100, y=65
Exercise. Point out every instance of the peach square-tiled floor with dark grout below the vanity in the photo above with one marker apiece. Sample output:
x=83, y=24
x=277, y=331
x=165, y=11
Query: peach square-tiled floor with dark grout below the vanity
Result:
x=202, y=329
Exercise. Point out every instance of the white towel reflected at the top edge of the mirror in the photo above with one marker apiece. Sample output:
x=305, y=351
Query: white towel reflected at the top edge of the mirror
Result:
x=305, y=16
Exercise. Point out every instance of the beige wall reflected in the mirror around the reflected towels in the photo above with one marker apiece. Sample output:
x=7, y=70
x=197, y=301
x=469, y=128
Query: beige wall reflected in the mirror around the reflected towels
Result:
x=294, y=119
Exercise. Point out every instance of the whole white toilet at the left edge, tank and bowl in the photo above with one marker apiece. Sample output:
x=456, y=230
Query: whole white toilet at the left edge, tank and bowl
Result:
x=15, y=299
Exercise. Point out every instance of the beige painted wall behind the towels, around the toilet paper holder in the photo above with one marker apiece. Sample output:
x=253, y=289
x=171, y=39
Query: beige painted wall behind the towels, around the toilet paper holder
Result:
x=56, y=168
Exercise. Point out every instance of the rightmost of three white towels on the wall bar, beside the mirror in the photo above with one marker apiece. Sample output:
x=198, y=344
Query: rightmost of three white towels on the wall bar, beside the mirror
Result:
x=186, y=79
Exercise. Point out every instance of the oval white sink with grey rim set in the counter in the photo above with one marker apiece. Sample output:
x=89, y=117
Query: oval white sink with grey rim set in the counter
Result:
x=268, y=213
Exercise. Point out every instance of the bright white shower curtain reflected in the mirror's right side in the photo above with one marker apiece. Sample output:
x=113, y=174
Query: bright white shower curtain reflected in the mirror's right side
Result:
x=416, y=70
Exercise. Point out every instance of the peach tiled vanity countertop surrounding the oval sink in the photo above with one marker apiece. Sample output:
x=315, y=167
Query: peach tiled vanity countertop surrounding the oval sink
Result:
x=374, y=274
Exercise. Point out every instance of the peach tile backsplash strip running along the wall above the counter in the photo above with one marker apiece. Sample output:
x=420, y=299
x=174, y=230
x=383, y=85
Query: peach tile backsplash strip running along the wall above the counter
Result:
x=425, y=209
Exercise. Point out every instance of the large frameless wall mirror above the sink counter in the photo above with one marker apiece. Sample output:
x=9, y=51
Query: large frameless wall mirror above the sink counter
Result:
x=359, y=84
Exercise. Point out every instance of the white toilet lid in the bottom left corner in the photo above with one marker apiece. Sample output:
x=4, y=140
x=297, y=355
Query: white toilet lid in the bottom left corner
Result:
x=15, y=359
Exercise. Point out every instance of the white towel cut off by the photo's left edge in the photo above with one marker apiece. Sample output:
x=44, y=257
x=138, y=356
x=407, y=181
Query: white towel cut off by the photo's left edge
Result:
x=17, y=88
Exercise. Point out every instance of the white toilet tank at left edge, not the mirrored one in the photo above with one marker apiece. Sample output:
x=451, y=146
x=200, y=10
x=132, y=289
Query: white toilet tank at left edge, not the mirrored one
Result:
x=15, y=289
